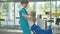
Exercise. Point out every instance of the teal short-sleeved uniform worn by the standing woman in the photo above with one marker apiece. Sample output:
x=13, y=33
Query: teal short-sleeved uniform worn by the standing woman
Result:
x=24, y=22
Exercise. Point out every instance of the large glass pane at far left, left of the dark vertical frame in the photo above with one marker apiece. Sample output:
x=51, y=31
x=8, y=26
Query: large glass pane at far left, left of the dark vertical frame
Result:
x=6, y=14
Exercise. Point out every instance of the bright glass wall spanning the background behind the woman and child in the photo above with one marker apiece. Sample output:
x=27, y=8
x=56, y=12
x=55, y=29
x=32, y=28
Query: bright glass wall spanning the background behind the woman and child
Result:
x=9, y=11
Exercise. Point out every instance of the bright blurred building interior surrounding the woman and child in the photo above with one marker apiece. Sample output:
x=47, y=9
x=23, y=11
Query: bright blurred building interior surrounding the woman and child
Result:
x=47, y=13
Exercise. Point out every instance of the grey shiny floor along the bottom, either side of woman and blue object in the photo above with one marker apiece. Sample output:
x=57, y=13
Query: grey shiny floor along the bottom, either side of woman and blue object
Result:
x=17, y=31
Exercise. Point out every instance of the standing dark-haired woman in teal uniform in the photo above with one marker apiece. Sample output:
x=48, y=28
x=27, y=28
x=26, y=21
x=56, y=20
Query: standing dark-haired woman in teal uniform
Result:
x=23, y=21
